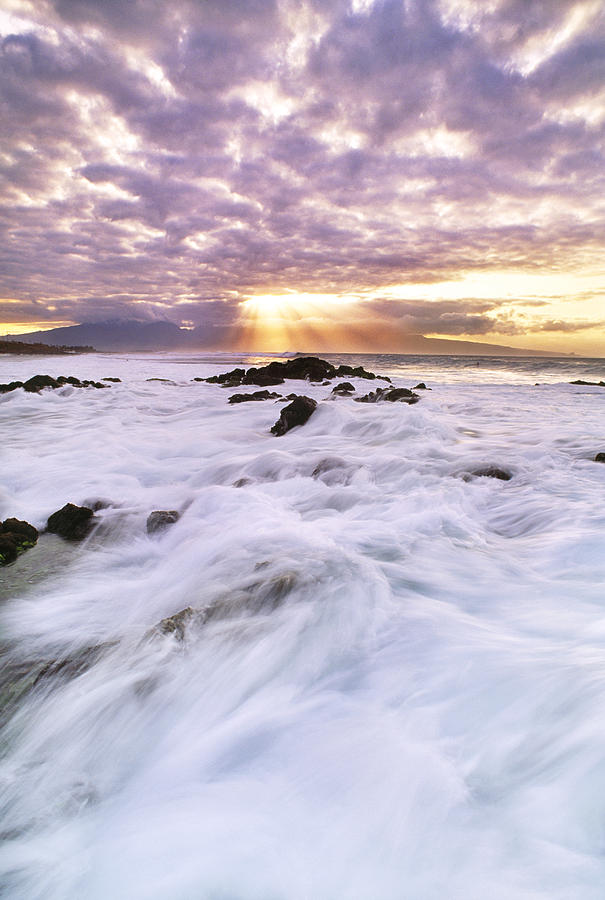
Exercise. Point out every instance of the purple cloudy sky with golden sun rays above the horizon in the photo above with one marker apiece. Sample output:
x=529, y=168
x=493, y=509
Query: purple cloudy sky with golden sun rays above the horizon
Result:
x=274, y=172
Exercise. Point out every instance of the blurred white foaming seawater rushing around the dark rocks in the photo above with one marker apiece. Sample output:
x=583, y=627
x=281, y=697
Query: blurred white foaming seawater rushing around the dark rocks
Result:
x=392, y=687
